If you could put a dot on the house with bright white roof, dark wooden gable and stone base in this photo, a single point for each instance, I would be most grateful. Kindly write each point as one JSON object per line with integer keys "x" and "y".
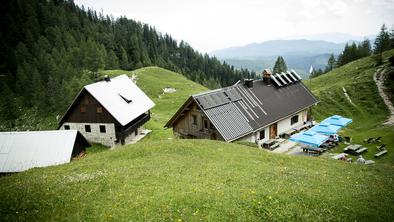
{"x": 109, "y": 112}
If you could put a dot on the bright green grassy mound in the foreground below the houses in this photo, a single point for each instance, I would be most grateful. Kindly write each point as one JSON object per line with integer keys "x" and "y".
{"x": 193, "y": 180}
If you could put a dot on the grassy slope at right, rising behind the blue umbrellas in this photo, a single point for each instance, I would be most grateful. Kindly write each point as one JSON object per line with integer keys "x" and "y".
{"x": 368, "y": 112}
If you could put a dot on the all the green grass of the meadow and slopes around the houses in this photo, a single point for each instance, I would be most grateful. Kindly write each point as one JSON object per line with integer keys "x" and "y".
{"x": 159, "y": 179}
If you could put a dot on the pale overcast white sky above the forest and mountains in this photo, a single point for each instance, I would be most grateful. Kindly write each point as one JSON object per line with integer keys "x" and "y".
{"x": 214, "y": 24}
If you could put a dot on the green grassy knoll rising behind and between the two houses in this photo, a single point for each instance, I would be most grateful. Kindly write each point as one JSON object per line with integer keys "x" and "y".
{"x": 152, "y": 80}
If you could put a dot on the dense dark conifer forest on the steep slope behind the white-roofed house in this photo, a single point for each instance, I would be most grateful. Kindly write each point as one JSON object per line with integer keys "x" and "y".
{"x": 51, "y": 48}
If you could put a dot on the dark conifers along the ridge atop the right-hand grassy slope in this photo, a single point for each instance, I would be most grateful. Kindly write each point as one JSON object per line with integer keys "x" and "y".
{"x": 352, "y": 51}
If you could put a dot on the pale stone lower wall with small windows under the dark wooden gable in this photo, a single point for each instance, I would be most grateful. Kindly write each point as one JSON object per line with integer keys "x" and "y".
{"x": 108, "y": 138}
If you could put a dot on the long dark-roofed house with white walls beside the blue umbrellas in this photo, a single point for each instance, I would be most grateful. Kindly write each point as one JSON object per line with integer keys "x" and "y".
{"x": 252, "y": 111}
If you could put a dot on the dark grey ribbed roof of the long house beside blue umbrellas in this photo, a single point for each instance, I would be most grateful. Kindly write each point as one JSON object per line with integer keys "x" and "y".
{"x": 237, "y": 110}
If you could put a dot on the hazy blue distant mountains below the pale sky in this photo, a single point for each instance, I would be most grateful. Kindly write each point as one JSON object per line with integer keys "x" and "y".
{"x": 300, "y": 52}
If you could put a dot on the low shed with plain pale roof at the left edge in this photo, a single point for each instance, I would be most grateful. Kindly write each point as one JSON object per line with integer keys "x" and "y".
{"x": 20, "y": 151}
